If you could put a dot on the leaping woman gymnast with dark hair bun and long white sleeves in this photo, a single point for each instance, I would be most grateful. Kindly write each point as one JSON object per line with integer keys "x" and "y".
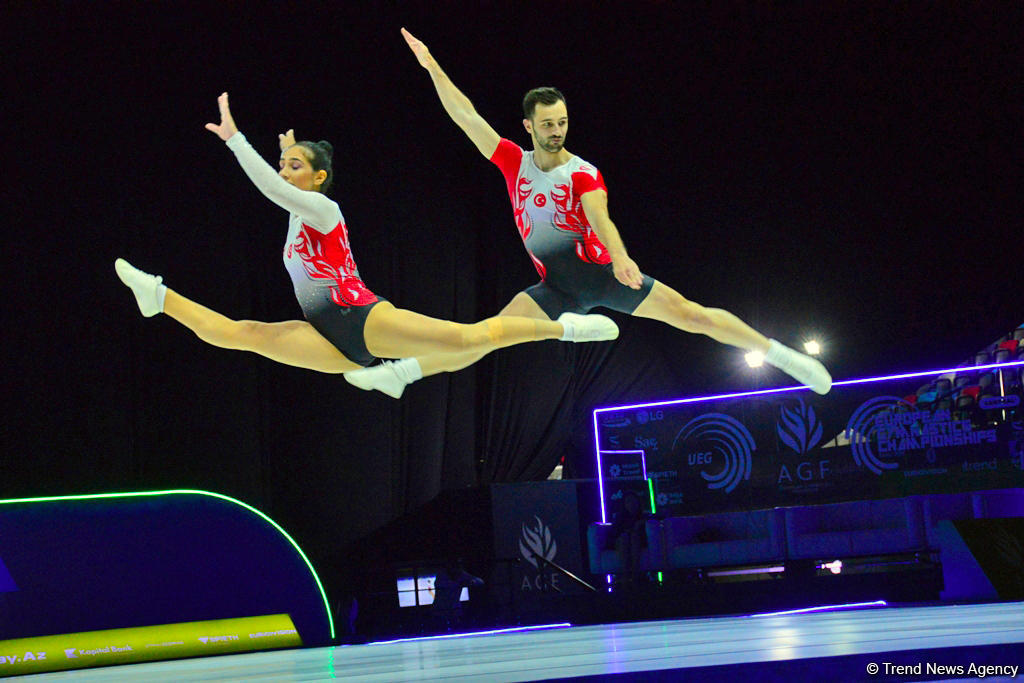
{"x": 348, "y": 327}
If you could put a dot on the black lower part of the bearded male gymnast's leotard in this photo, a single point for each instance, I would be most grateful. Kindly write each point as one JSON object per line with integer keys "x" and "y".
{"x": 586, "y": 287}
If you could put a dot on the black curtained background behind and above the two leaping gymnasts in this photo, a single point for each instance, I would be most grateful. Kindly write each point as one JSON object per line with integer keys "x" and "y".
{"x": 847, "y": 170}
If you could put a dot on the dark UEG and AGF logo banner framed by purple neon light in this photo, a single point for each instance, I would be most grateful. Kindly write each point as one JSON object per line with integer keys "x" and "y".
{"x": 873, "y": 440}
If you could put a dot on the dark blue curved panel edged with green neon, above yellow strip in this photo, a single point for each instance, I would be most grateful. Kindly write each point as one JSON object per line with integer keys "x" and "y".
{"x": 110, "y": 562}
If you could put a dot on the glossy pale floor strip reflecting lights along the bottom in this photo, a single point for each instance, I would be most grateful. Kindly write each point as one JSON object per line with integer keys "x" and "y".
{"x": 605, "y": 650}
